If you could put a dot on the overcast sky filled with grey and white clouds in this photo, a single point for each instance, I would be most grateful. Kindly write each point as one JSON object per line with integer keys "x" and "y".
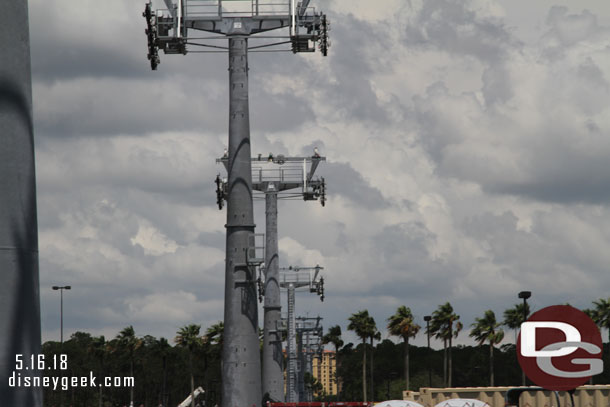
{"x": 468, "y": 158}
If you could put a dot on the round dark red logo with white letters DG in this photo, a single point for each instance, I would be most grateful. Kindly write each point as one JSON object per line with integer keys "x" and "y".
{"x": 560, "y": 348}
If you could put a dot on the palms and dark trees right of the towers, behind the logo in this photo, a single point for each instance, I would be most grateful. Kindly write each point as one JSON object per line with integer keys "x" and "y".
{"x": 436, "y": 368}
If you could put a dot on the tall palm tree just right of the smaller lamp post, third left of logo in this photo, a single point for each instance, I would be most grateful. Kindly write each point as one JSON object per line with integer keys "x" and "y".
{"x": 445, "y": 325}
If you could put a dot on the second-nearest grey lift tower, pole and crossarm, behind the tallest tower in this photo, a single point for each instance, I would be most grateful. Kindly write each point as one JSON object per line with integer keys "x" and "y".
{"x": 277, "y": 177}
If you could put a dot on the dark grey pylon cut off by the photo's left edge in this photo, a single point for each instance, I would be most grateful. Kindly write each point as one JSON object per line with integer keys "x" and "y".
{"x": 19, "y": 285}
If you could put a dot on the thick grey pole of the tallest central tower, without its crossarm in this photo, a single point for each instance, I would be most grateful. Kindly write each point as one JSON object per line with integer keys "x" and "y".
{"x": 241, "y": 368}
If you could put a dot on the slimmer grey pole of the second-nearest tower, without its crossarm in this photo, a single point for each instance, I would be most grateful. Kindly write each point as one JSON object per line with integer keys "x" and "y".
{"x": 273, "y": 372}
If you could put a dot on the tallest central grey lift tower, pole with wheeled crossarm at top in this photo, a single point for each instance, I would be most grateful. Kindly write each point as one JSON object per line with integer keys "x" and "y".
{"x": 239, "y": 20}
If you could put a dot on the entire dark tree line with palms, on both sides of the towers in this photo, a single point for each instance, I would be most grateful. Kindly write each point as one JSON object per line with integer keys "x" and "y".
{"x": 167, "y": 371}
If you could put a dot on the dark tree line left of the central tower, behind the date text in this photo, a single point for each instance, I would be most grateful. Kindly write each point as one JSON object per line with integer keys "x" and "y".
{"x": 163, "y": 374}
